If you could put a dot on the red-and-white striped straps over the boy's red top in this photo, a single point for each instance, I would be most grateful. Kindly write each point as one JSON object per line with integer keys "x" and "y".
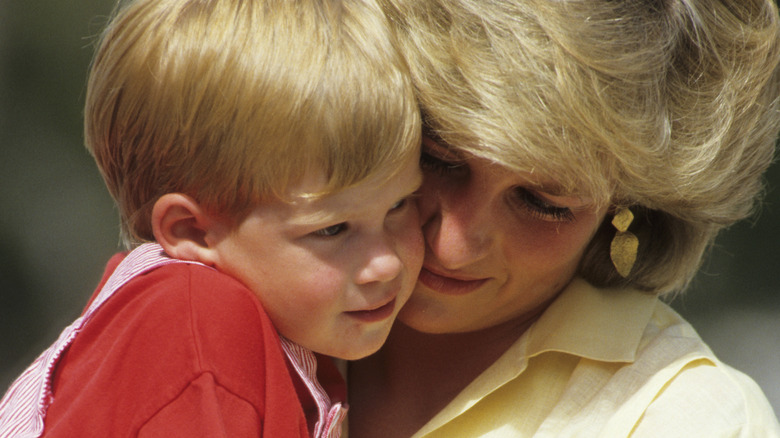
{"x": 23, "y": 408}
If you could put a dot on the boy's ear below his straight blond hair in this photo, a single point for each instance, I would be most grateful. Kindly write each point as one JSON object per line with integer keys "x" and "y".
{"x": 184, "y": 229}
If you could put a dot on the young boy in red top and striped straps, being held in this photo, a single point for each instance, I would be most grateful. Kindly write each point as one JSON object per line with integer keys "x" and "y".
{"x": 265, "y": 152}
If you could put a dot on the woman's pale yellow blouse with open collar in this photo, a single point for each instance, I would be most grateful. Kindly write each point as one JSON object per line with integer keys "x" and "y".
{"x": 607, "y": 363}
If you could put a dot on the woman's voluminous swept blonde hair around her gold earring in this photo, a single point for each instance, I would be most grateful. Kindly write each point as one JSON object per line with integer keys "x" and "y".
{"x": 669, "y": 106}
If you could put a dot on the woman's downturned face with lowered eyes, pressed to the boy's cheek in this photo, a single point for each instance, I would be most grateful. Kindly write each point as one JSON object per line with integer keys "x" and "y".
{"x": 500, "y": 245}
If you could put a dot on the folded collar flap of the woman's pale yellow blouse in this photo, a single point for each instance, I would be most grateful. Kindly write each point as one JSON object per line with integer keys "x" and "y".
{"x": 583, "y": 317}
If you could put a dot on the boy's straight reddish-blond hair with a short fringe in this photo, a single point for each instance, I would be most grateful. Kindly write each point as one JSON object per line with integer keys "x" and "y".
{"x": 231, "y": 101}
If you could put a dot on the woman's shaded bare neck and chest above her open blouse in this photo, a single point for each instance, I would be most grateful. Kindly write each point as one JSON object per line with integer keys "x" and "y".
{"x": 415, "y": 375}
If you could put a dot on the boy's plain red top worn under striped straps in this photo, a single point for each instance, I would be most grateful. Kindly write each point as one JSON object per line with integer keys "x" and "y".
{"x": 180, "y": 351}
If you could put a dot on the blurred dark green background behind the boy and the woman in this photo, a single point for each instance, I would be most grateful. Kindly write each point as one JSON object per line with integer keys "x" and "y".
{"x": 58, "y": 226}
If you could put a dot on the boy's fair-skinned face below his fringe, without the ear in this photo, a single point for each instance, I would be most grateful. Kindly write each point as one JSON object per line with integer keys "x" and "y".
{"x": 333, "y": 272}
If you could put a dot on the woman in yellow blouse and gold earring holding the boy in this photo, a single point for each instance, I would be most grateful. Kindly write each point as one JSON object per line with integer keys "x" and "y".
{"x": 580, "y": 158}
